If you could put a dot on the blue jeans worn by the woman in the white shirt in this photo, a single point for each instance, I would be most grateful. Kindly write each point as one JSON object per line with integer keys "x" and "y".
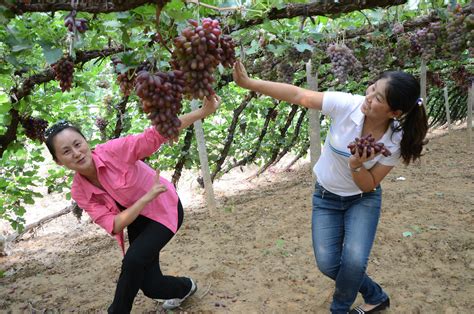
{"x": 343, "y": 233}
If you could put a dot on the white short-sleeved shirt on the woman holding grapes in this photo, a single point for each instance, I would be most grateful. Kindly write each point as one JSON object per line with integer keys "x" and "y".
{"x": 332, "y": 170}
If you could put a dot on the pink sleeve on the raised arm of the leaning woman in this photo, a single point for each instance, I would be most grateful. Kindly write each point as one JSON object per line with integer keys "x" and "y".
{"x": 135, "y": 147}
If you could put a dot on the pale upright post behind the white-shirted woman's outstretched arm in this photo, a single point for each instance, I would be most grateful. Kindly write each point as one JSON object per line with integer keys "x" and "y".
{"x": 314, "y": 117}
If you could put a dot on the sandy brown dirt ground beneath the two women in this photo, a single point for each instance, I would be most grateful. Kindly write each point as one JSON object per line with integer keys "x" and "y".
{"x": 254, "y": 254}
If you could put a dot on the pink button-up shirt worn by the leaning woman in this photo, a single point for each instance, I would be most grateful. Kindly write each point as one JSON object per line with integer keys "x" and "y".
{"x": 125, "y": 179}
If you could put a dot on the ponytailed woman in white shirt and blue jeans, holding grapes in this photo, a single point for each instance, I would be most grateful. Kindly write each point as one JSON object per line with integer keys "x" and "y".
{"x": 347, "y": 198}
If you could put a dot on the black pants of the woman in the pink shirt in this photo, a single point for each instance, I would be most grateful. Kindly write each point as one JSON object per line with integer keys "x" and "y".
{"x": 141, "y": 265}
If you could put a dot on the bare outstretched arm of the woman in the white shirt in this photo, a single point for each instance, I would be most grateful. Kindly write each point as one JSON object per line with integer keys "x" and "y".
{"x": 281, "y": 91}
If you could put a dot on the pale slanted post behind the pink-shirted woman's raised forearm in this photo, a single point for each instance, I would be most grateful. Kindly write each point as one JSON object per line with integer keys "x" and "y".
{"x": 206, "y": 173}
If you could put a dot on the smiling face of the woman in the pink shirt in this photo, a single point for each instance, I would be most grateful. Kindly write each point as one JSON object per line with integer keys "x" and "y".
{"x": 72, "y": 151}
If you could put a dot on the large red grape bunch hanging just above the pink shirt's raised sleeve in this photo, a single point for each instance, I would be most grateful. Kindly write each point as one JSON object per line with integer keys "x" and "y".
{"x": 161, "y": 95}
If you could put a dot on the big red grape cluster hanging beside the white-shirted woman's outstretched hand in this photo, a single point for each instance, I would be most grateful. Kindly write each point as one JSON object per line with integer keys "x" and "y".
{"x": 198, "y": 51}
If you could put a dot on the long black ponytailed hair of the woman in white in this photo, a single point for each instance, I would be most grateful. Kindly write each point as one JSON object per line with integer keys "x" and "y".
{"x": 402, "y": 93}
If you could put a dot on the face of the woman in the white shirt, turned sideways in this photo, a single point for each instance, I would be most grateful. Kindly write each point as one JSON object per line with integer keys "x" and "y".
{"x": 375, "y": 104}
